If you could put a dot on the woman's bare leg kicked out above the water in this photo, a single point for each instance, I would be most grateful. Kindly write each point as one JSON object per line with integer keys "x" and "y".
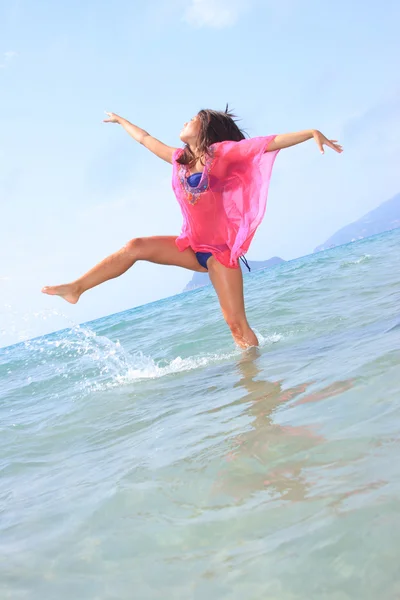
{"x": 159, "y": 249}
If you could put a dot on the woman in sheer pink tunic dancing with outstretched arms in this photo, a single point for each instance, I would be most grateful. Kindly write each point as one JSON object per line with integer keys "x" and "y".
{"x": 221, "y": 180}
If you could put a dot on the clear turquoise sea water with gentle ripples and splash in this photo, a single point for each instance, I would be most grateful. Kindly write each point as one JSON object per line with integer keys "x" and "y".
{"x": 143, "y": 456}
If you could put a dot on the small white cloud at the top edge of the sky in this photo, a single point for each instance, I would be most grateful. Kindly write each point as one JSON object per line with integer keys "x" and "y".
{"x": 215, "y": 13}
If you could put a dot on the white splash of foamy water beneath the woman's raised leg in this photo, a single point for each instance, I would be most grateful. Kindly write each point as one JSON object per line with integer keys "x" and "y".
{"x": 86, "y": 361}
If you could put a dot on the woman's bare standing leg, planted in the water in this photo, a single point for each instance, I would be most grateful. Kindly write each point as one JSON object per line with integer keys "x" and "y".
{"x": 228, "y": 283}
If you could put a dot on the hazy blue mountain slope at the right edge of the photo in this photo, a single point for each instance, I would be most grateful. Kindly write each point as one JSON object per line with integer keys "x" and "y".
{"x": 383, "y": 218}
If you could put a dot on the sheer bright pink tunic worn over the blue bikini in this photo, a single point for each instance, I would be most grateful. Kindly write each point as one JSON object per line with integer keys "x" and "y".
{"x": 222, "y": 213}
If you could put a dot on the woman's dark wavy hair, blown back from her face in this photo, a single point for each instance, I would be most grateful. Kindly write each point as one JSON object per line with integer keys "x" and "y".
{"x": 215, "y": 126}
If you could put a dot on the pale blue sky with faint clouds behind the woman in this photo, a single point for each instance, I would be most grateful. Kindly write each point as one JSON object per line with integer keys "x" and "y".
{"x": 73, "y": 190}
